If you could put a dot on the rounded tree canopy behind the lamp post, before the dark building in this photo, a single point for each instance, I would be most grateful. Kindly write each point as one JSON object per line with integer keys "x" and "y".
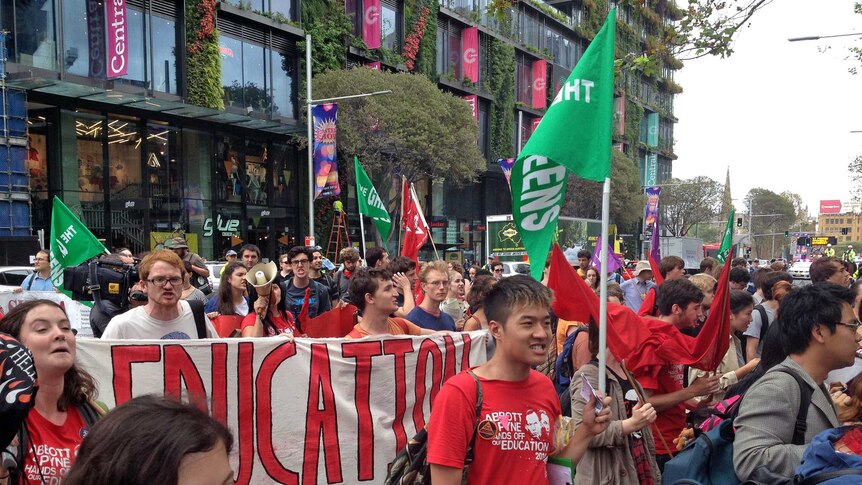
{"x": 417, "y": 131}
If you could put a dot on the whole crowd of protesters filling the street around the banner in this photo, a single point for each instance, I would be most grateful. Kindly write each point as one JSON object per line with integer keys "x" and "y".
{"x": 793, "y": 356}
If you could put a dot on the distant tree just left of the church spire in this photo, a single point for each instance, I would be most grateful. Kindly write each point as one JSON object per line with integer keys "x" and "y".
{"x": 687, "y": 203}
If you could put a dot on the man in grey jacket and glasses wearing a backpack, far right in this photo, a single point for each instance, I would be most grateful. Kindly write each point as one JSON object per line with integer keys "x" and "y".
{"x": 817, "y": 331}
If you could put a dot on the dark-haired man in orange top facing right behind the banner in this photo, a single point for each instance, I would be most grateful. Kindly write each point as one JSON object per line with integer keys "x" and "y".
{"x": 374, "y": 294}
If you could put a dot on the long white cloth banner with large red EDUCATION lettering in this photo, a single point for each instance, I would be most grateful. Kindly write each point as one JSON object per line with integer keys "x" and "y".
{"x": 304, "y": 411}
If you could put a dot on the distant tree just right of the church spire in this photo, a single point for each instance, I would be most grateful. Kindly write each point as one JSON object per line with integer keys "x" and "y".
{"x": 771, "y": 214}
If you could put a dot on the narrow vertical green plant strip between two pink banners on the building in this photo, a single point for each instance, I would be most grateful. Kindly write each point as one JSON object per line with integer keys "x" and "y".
{"x": 502, "y": 86}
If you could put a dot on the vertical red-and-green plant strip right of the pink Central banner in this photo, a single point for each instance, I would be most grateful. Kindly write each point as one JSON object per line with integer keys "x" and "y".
{"x": 203, "y": 78}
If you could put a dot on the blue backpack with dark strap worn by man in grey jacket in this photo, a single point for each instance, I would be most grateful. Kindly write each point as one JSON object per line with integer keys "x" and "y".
{"x": 708, "y": 460}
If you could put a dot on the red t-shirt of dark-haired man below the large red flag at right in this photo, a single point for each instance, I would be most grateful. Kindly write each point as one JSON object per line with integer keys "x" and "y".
{"x": 664, "y": 380}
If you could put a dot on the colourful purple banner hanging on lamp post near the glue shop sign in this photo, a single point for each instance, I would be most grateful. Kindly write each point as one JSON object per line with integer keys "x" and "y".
{"x": 325, "y": 117}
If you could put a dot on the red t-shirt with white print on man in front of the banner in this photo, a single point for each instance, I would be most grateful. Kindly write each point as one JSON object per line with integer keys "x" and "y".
{"x": 516, "y": 428}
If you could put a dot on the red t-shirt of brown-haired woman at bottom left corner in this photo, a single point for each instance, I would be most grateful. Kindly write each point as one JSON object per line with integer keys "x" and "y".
{"x": 55, "y": 446}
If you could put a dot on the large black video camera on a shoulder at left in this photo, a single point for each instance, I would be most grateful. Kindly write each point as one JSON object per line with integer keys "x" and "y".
{"x": 101, "y": 280}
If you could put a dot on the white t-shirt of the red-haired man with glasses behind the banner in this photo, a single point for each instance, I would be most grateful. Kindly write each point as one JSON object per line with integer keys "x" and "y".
{"x": 137, "y": 324}
